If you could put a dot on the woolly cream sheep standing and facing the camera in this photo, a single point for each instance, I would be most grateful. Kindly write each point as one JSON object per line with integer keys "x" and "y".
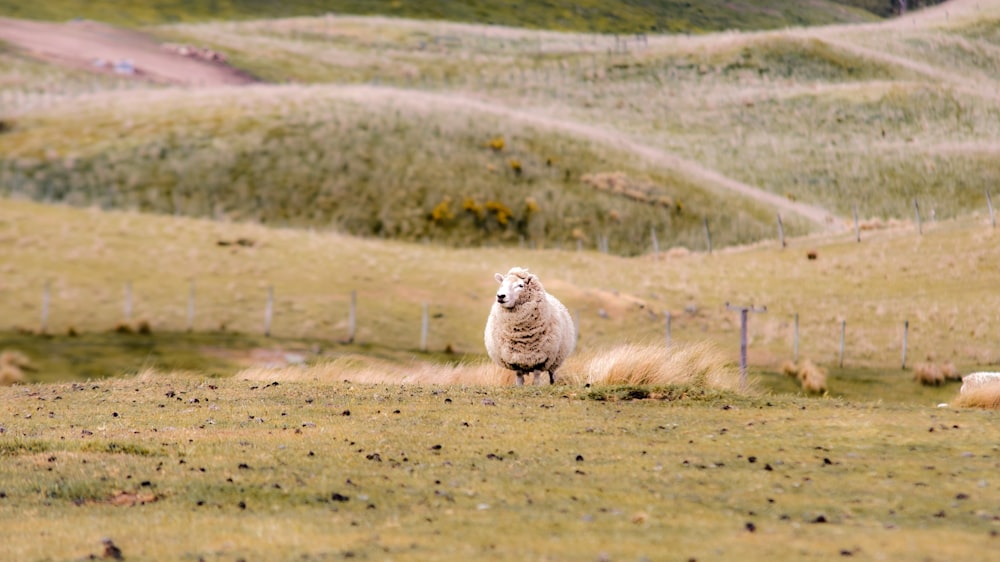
{"x": 528, "y": 330}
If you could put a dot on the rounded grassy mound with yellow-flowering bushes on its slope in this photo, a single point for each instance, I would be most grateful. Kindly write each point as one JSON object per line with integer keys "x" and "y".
{"x": 378, "y": 163}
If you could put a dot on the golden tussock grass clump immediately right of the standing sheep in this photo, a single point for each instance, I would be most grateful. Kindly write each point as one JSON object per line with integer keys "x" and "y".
{"x": 700, "y": 365}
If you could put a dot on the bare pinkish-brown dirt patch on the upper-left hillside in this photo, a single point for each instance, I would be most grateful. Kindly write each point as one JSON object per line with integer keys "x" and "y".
{"x": 101, "y": 48}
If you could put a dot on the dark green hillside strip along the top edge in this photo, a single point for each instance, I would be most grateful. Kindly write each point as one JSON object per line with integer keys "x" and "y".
{"x": 603, "y": 17}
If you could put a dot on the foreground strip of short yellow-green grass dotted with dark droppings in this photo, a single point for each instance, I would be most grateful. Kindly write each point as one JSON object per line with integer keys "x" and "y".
{"x": 227, "y": 469}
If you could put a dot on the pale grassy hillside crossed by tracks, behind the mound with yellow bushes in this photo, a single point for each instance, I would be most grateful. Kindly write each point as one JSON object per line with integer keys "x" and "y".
{"x": 817, "y": 115}
